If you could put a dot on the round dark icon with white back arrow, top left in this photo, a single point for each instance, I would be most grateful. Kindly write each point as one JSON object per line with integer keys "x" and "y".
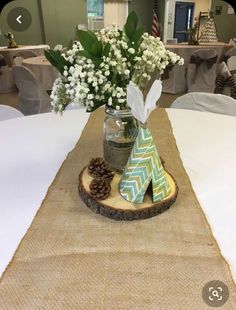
{"x": 19, "y": 19}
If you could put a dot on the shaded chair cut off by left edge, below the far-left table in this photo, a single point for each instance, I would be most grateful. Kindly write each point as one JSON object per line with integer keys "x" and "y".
{"x": 6, "y": 80}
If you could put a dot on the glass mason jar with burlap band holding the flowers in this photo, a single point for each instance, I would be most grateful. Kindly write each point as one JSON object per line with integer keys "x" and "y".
{"x": 120, "y": 132}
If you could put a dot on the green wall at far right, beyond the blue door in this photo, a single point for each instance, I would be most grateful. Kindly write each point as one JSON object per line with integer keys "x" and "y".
{"x": 225, "y": 23}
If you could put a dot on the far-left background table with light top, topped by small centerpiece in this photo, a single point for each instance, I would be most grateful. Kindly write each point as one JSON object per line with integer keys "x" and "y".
{"x": 10, "y": 53}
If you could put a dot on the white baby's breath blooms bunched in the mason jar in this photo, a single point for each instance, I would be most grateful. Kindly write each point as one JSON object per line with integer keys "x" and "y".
{"x": 83, "y": 80}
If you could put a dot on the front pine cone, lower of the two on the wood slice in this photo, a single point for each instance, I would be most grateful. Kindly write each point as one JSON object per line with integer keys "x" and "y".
{"x": 100, "y": 188}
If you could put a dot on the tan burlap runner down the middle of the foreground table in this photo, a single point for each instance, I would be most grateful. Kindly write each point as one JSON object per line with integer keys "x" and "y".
{"x": 72, "y": 258}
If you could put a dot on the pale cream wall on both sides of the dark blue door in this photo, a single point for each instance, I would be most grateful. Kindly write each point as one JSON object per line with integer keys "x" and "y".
{"x": 200, "y": 6}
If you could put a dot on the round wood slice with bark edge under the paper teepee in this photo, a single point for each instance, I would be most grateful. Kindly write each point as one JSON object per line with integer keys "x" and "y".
{"x": 116, "y": 207}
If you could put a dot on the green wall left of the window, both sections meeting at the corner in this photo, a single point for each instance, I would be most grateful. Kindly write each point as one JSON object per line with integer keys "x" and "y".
{"x": 53, "y": 21}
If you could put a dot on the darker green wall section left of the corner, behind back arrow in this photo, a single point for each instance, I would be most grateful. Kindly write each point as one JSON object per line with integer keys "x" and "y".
{"x": 33, "y": 35}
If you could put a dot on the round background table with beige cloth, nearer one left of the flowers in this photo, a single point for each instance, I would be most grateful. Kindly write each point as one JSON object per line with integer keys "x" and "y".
{"x": 43, "y": 70}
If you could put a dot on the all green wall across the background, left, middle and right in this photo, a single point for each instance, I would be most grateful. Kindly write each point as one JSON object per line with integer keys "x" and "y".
{"x": 54, "y": 21}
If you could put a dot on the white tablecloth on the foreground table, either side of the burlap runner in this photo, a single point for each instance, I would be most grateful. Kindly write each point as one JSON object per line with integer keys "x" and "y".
{"x": 34, "y": 147}
